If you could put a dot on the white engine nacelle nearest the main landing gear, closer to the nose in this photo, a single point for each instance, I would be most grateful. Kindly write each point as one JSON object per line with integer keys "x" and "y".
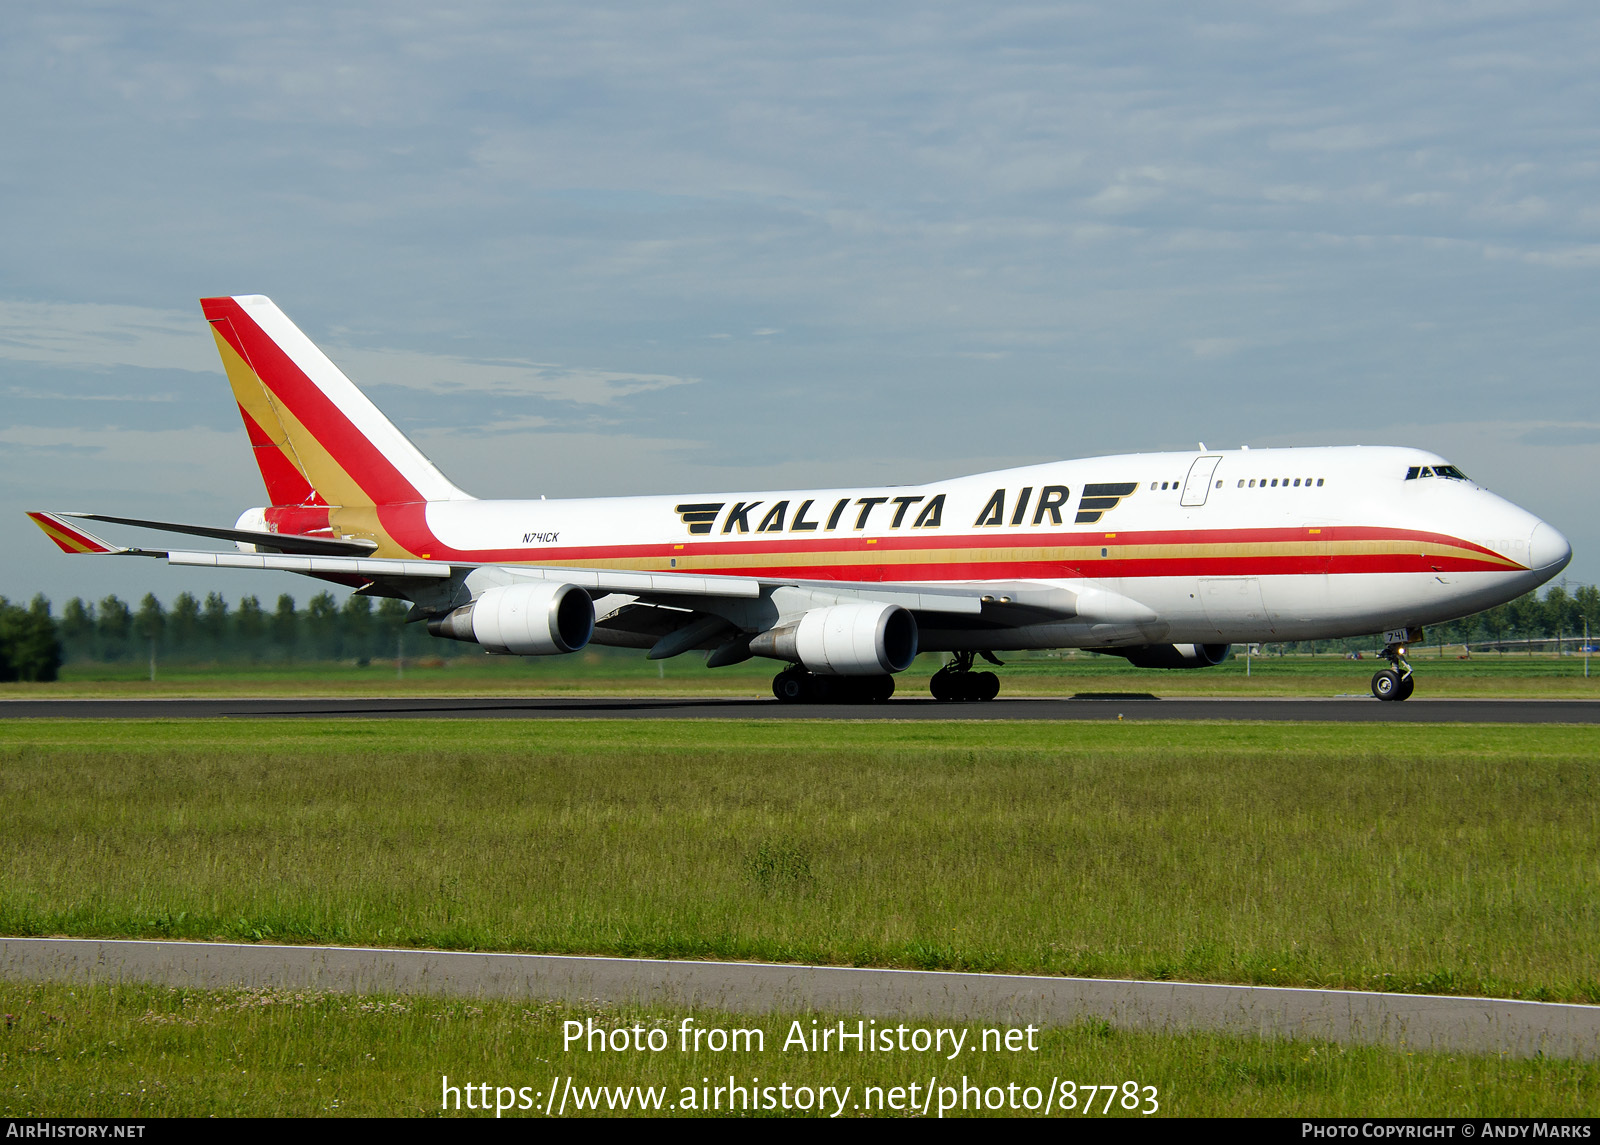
{"x": 846, "y": 640}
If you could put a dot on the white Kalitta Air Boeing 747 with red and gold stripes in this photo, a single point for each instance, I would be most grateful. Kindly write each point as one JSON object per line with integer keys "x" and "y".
{"x": 1166, "y": 559}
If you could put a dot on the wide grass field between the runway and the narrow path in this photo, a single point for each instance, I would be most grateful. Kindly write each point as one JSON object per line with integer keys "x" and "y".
{"x": 1452, "y": 860}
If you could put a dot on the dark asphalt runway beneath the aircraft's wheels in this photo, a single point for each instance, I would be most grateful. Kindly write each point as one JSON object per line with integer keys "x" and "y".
{"x": 1097, "y": 708}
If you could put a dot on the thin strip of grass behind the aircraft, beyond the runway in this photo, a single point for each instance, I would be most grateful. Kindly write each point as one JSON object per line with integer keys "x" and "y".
{"x": 617, "y": 672}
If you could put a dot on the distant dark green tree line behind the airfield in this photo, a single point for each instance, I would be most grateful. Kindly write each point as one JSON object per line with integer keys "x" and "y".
{"x": 34, "y": 644}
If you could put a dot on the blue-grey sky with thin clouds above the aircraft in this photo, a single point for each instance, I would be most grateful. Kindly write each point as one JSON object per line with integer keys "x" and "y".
{"x": 591, "y": 249}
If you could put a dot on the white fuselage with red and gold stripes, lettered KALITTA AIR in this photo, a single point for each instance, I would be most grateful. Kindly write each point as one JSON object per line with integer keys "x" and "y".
{"x": 1174, "y": 548}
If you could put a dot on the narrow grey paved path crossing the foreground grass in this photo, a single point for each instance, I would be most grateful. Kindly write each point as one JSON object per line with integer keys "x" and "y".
{"x": 1481, "y": 1026}
